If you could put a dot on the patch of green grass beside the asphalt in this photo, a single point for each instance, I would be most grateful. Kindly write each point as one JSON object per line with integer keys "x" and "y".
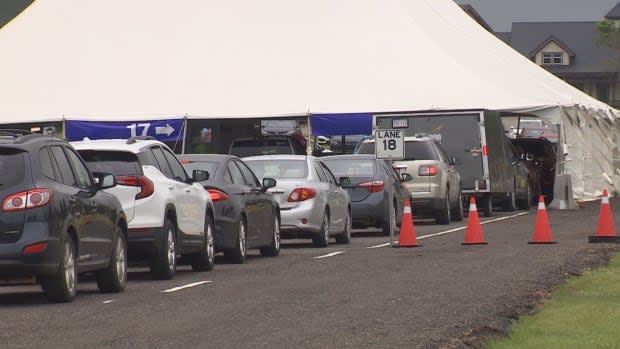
{"x": 584, "y": 313}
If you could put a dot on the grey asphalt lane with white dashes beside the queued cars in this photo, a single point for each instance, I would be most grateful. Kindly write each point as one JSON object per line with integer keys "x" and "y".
{"x": 440, "y": 295}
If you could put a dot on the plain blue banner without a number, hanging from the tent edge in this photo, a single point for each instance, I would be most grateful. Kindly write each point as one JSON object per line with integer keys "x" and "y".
{"x": 341, "y": 124}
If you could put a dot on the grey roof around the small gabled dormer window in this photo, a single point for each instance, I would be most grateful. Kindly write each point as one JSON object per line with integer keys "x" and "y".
{"x": 578, "y": 37}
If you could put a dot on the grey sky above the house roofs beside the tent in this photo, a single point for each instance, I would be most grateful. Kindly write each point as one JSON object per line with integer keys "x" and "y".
{"x": 500, "y": 14}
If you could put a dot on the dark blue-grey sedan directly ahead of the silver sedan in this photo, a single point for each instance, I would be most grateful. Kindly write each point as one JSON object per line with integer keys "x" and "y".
{"x": 374, "y": 184}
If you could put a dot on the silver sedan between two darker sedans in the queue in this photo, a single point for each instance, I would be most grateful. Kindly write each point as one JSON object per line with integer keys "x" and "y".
{"x": 313, "y": 203}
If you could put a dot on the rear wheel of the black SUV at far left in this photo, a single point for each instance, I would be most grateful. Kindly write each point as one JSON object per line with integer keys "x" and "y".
{"x": 62, "y": 286}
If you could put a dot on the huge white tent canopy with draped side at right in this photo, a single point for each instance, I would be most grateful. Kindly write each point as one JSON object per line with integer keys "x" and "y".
{"x": 144, "y": 59}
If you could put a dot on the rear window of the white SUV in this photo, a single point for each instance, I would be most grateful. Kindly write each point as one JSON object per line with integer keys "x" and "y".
{"x": 118, "y": 163}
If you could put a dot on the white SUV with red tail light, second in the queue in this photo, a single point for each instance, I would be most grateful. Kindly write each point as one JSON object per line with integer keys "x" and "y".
{"x": 169, "y": 214}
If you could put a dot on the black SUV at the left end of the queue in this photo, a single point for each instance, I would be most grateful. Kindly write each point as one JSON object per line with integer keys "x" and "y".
{"x": 56, "y": 221}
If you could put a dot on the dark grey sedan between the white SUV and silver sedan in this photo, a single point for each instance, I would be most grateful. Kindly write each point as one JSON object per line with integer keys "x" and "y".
{"x": 246, "y": 215}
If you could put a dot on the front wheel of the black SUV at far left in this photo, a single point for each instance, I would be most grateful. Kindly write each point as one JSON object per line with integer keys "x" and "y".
{"x": 114, "y": 277}
